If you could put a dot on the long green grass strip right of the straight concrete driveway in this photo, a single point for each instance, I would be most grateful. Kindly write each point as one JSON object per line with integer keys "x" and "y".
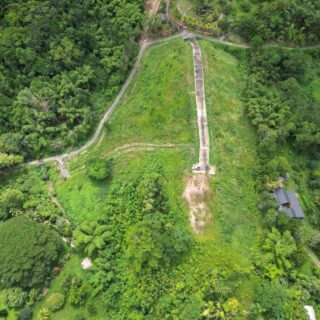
{"x": 236, "y": 219}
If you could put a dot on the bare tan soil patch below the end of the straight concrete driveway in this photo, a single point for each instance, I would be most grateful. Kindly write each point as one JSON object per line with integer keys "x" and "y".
{"x": 195, "y": 193}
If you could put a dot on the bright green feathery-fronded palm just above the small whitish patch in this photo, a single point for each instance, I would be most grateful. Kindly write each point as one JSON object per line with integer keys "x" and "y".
{"x": 91, "y": 236}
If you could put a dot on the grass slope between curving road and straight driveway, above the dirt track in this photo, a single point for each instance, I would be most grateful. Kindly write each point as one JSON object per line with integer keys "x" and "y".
{"x": 159, "y": 105}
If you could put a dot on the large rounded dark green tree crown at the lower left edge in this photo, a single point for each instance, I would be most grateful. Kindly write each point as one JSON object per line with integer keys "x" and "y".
{"x": 28, "y": 252}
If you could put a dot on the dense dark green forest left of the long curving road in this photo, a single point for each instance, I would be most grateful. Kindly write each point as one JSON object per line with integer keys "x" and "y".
{"x": 57, "y": 57}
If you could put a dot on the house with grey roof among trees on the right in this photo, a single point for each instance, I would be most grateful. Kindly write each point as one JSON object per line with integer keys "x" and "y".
{"x": 288, "y": 203}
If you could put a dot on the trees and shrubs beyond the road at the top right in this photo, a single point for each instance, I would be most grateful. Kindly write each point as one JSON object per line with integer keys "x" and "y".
{"x": 289, "y": 21}
